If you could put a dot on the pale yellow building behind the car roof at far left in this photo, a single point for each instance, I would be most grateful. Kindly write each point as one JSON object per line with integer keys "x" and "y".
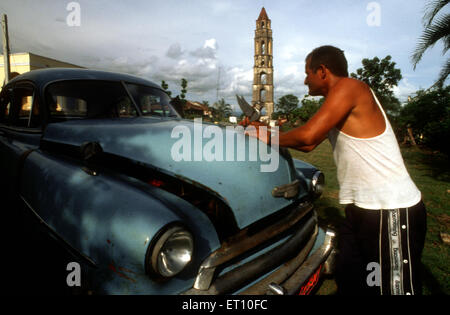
{"x": 24, "y": 62}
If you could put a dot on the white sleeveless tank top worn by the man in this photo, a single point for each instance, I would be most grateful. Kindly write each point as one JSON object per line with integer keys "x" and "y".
{"x": 371, "y": 172}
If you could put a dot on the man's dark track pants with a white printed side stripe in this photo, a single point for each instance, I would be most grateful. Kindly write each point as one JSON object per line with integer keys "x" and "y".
{"x": 380, "y": 251}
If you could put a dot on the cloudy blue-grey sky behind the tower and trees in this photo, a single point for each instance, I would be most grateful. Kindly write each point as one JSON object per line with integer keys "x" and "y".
{"x": 210, "y": 43}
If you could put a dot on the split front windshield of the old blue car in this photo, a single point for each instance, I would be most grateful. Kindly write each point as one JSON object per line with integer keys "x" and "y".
{"x": 79, "y": 99}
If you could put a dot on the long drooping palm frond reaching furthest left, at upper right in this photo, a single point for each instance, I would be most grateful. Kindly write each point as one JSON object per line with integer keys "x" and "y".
{"x": 439, "y": 29}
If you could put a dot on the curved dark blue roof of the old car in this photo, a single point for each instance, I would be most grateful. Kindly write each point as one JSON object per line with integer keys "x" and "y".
{"x": 43, "y": 76}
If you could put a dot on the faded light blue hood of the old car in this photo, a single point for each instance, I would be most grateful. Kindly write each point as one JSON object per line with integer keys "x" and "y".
{"x": 242, "y": 181}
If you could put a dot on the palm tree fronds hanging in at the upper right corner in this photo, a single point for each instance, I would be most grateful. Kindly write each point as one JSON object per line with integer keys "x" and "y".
{"x": 436, "y": 28}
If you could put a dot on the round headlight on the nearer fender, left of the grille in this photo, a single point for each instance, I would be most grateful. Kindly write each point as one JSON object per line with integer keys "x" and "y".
{"x": 172, "y": 252}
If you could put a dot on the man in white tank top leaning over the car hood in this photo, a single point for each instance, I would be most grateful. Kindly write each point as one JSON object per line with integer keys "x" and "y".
{"x": 385, "y": 224}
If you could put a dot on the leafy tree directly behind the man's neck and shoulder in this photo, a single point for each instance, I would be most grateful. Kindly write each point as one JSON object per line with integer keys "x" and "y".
{"x": 381, "y": 76}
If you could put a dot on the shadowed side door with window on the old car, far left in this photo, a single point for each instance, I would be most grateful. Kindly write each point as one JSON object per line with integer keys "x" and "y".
{"x": 20, "y": 133}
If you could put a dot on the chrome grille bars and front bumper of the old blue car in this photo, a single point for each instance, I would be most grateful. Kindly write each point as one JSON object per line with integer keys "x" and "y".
{"x": 287, "y": 279}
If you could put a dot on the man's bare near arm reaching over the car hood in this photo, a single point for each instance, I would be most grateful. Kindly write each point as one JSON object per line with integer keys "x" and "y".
{"x": 337, "y": 106}
